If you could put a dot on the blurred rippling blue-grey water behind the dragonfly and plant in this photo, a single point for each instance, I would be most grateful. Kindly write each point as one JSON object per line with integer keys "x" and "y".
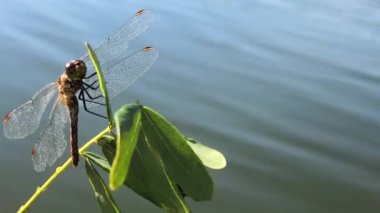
{"x": 287, "y": 90}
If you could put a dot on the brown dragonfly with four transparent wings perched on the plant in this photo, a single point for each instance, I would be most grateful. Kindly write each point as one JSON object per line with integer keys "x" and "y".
{"x": 75, "y": 88}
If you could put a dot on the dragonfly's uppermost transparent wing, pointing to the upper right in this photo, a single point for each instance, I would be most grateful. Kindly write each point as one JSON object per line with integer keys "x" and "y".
{"x": 117, "y": 43}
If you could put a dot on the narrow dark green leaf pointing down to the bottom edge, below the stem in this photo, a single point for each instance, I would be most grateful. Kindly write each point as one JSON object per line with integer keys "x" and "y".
{"x": 102, "y": 194}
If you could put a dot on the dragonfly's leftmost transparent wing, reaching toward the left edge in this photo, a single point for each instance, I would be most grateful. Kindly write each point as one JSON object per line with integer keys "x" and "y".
{"x": 25, "y": 119}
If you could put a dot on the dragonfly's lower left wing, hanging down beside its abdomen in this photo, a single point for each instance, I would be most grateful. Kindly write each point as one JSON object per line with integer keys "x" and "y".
{"x": 51, "y": 143}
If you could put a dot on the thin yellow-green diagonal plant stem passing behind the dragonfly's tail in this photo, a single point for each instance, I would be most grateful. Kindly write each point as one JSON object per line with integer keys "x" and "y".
{"x": 59, "y": 171}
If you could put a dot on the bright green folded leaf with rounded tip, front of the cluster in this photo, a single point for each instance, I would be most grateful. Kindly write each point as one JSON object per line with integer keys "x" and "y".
{"x": 127, "y": 121}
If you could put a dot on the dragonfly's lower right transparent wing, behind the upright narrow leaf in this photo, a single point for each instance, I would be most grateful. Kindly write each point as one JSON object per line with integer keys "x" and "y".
{"x": 122, "y": 74}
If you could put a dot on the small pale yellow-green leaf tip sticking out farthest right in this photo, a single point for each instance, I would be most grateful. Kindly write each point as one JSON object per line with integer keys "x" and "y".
{"x": 210, "y": 157}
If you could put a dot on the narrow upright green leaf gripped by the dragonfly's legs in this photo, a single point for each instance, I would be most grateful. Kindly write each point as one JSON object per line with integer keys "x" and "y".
{"x": 102, "y": 82}
